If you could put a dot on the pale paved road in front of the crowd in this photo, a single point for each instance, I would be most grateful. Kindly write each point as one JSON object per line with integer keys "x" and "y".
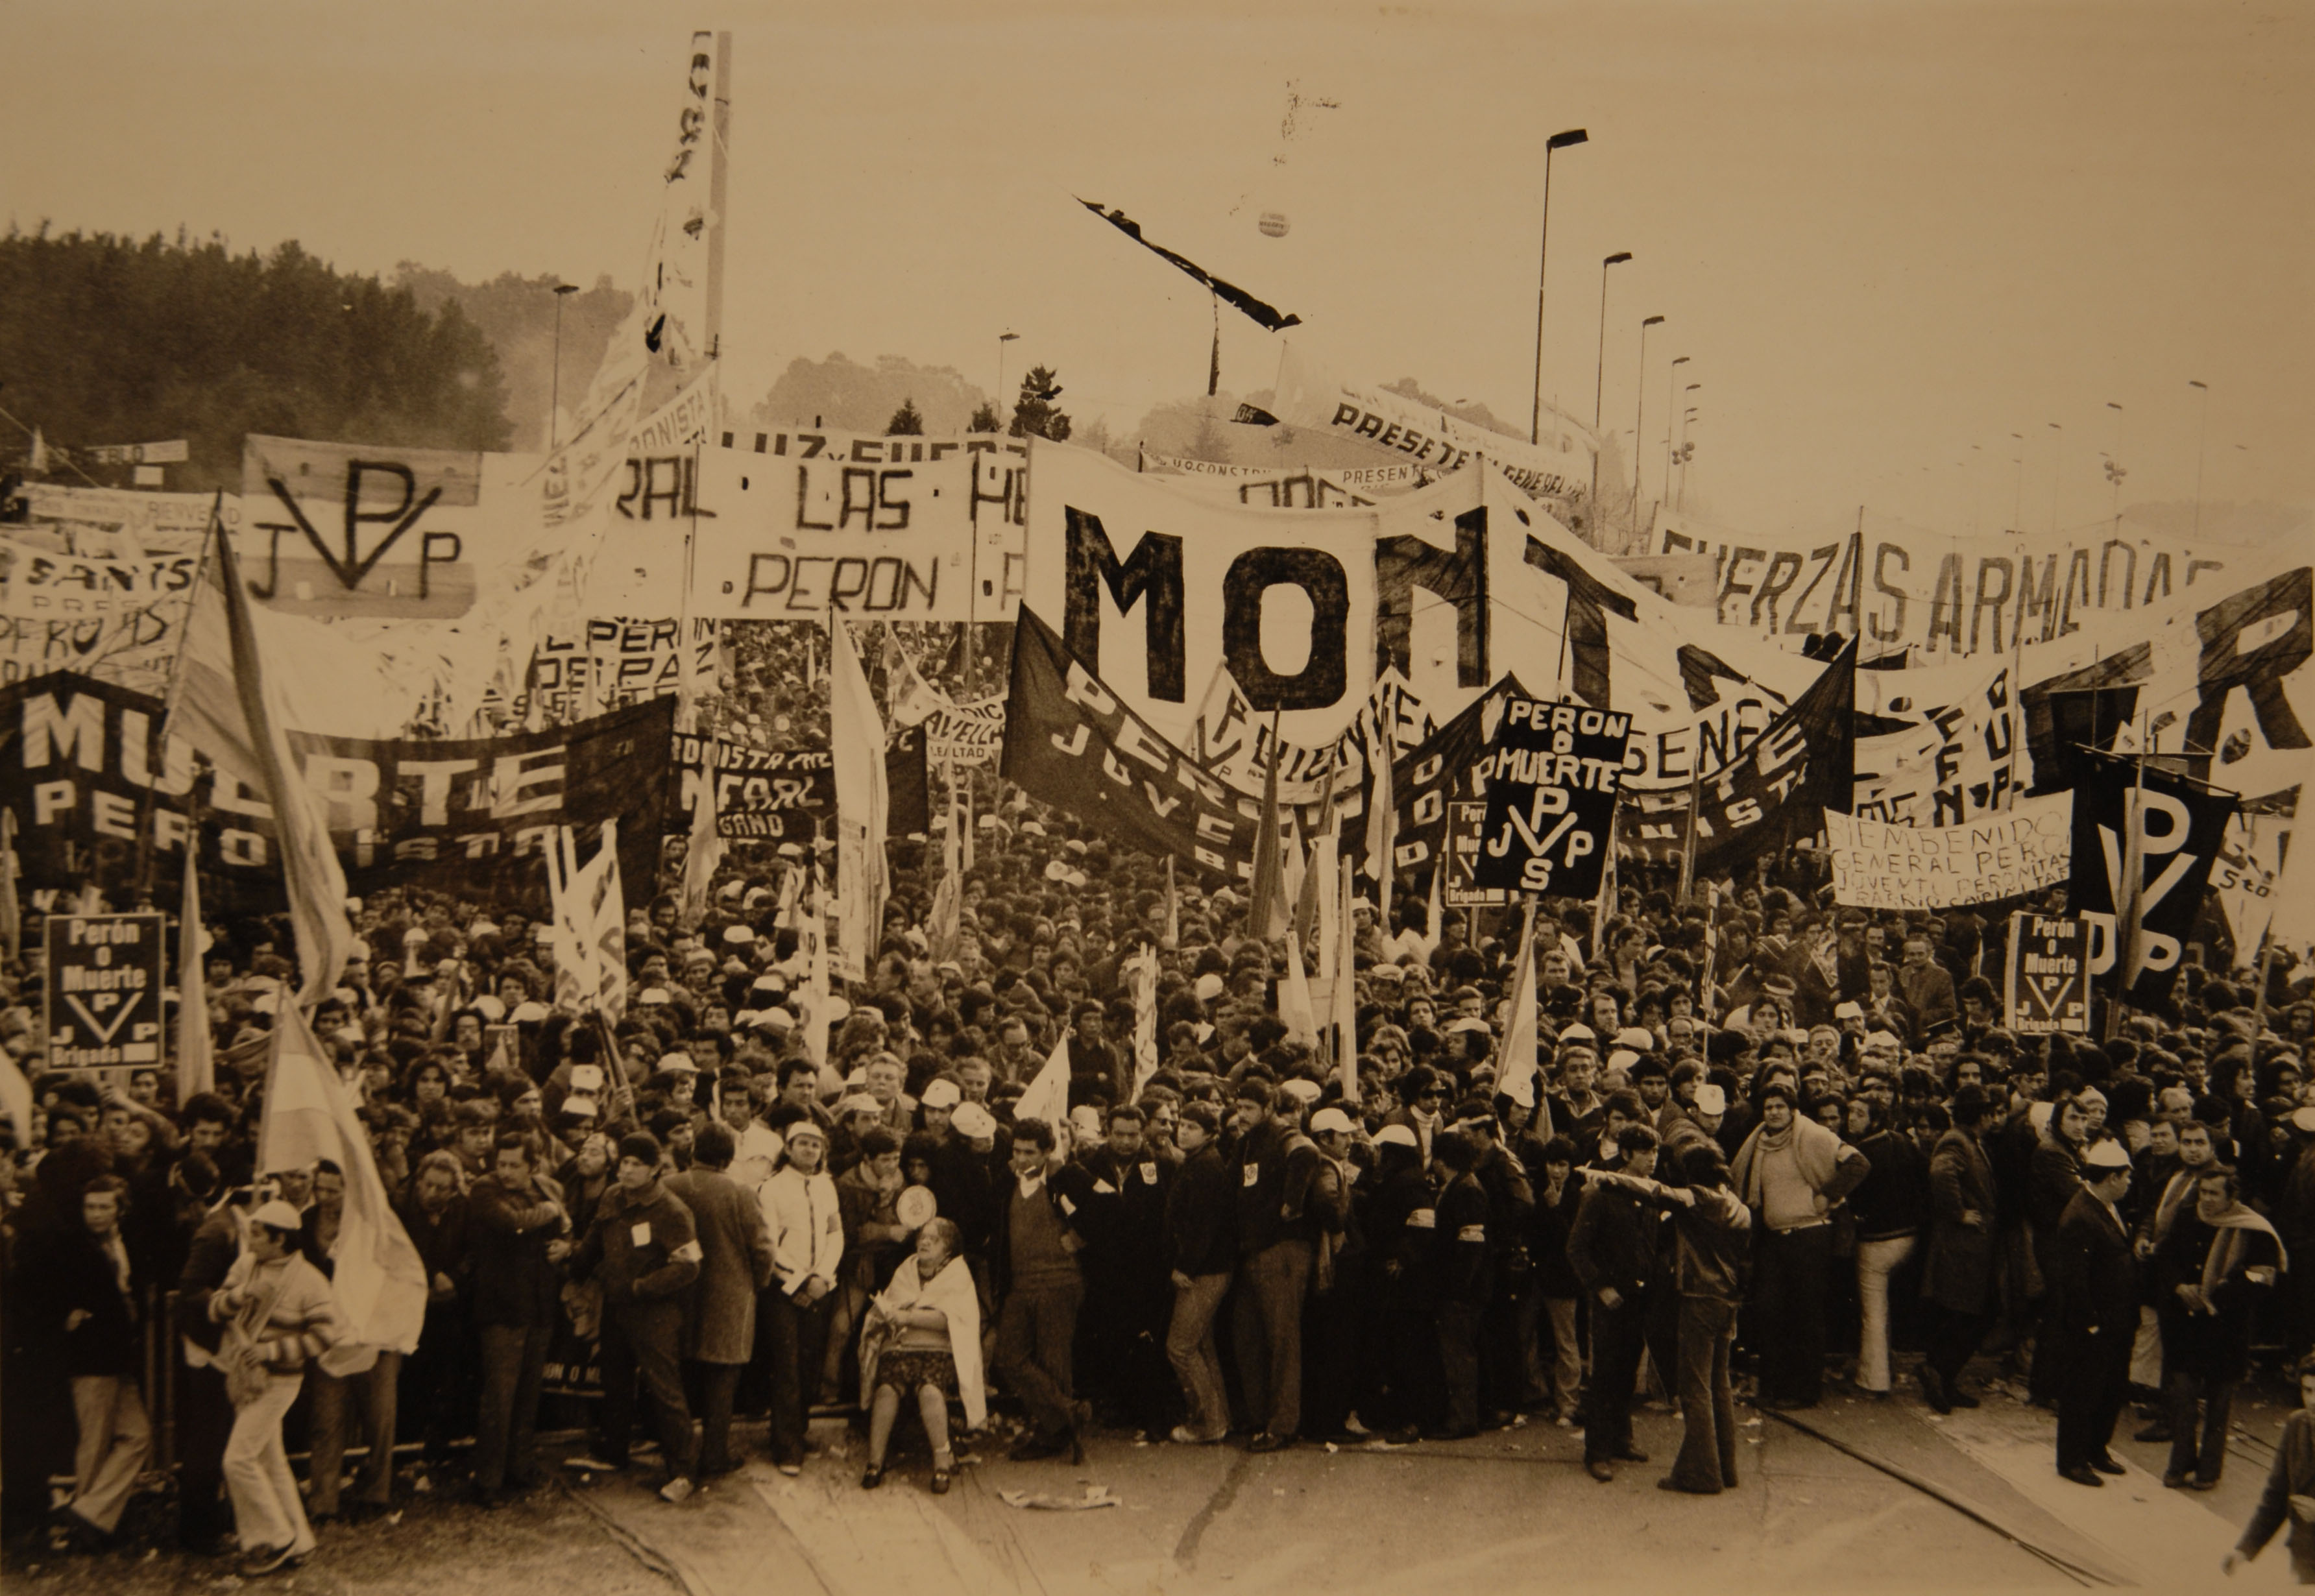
{"x": 1872, "y": 1498}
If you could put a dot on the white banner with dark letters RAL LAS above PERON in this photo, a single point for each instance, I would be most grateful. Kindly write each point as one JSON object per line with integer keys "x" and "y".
{"x": 798, "y": 525}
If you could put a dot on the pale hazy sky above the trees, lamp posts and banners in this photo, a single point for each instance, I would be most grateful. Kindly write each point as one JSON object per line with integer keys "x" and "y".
{"x": 1881, "y": 233}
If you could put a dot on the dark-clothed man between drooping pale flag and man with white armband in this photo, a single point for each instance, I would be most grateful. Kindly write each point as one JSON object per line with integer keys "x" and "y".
{"x": 515, "y": 1238}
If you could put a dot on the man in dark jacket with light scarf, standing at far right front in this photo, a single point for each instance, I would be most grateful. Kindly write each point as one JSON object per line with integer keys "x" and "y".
{"x": 2212, "y": 1268}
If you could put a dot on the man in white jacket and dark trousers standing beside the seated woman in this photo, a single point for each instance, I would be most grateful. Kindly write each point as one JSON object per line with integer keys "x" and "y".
{"x": 807, "y": 1247}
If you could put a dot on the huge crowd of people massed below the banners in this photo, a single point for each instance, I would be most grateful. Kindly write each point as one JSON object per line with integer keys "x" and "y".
{"x": 1770, "y": 1145}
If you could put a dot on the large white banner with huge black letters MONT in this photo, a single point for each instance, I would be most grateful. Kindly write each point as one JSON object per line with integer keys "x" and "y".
{"x": 1156, "y": 587}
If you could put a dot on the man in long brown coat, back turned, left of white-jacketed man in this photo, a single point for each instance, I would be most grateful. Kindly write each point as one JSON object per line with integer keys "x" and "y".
{"x": 719, "y": 1308}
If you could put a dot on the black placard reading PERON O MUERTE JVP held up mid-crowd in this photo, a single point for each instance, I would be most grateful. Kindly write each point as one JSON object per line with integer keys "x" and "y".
{"x": 1552, "y": 798}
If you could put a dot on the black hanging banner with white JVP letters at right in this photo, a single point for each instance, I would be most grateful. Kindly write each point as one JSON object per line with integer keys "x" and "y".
{"x": 2182, "y": 828}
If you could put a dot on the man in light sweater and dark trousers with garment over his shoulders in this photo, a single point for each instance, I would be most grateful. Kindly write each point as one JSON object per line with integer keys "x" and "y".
{"x": 1791, "y": 1173}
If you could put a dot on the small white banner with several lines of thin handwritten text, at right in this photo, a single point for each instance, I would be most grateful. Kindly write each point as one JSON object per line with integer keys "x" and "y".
{"x": 1943, "y": 865}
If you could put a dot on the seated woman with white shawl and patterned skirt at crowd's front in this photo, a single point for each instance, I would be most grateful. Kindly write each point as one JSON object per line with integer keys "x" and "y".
{"x": 925, "y": 1338}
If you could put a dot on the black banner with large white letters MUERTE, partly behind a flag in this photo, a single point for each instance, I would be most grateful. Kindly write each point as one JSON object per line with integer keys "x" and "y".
{"x": 94, "y": 784}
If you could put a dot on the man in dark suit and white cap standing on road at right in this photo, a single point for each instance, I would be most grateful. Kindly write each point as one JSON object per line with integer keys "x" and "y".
{"x": 2099, "y": 1275}
